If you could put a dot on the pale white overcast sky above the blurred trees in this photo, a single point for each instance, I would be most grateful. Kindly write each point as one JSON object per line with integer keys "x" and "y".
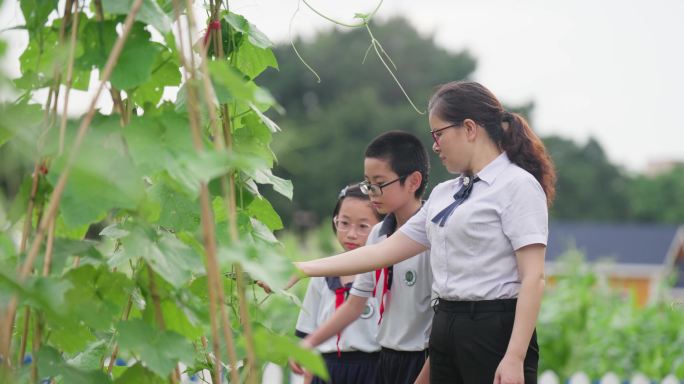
{"x": 611, "y": 69}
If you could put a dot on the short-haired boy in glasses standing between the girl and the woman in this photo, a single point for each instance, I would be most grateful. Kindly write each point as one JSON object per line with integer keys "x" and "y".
{"x": 396, "y": 173}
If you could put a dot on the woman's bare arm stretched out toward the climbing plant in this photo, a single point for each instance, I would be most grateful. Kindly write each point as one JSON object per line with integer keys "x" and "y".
{"x": 390, "y": 251}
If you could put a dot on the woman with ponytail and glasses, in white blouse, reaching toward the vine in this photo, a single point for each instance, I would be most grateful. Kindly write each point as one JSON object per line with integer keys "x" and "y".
{"x": 486, "y": 230}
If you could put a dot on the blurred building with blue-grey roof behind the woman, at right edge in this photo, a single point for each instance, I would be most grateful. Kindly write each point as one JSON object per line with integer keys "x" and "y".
{"x": 635, "y": 257}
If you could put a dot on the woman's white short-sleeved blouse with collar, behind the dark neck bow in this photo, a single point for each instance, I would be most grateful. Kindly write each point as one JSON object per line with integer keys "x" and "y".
{"x": 473, "y": 255}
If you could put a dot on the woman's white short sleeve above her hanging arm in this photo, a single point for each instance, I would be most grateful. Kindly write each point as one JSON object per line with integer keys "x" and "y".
{"x": 525, "y": 220}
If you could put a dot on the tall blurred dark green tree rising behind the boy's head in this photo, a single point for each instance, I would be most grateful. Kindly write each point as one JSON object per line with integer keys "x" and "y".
{"x": 328, "y": 125}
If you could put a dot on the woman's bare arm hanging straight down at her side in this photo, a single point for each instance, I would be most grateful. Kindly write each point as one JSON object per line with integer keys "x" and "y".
{"x": 531, "y": 271}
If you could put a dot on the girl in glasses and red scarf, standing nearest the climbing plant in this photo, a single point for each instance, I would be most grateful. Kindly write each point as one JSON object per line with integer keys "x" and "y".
{"x": 352, "y": 355}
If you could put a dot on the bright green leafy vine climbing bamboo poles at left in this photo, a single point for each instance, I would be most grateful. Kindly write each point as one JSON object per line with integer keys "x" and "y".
{"x": 123, "y": 275}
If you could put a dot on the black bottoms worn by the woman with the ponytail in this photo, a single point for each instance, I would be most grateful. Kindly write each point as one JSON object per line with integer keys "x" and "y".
{"x": 469, "y": 339}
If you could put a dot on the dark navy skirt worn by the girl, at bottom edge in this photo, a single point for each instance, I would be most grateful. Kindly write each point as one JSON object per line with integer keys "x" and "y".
{"x": 350, "y": 368}
